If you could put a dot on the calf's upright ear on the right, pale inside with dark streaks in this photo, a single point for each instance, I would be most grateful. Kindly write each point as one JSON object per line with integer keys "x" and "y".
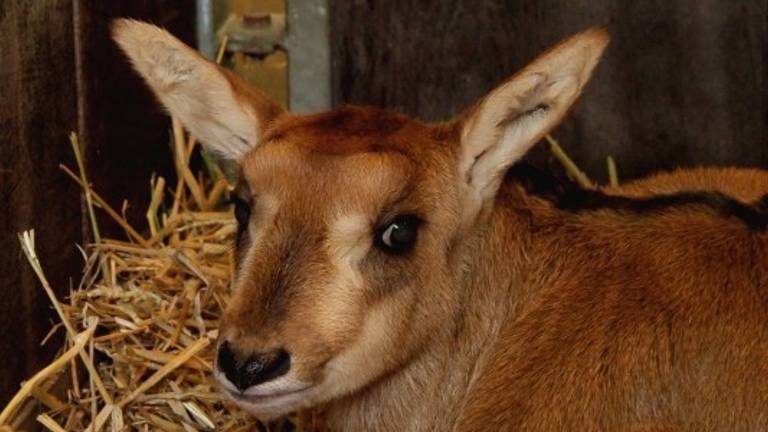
{"x": 501, "y": 128}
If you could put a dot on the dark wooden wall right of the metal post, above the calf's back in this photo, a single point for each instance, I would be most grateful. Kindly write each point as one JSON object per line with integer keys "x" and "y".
{"x": 682, "y": 84}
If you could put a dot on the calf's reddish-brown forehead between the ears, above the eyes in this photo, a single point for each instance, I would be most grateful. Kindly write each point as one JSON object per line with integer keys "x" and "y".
{"x": 351, "y": 158}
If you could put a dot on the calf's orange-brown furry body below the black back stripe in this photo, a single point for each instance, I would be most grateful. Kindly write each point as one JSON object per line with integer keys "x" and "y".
{"x": 622, "y": 320}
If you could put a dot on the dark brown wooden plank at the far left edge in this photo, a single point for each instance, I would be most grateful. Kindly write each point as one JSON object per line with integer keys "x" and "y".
{"x": 37, "y": 112}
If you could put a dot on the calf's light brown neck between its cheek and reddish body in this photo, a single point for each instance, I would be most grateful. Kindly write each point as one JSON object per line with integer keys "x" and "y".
{"x": 428, "y": 393}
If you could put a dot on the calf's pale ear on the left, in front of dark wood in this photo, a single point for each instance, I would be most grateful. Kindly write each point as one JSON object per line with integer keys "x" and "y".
{"x": 225, "y": 113}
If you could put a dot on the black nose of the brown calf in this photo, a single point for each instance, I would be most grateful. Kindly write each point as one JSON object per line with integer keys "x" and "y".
{"x": 249, "y": 369}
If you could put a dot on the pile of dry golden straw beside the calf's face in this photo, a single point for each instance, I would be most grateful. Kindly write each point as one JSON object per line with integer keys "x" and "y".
{"x": 142, "y": 323}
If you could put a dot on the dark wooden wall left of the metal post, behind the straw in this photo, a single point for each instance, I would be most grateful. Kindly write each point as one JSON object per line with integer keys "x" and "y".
{"x": 60, "y": 73}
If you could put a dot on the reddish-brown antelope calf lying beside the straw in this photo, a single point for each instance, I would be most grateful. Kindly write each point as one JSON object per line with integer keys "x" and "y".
{"x": 398, "y": 275}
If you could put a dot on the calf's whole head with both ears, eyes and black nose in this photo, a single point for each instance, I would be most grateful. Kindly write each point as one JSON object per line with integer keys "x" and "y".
{"x": 354, "y": 223}
